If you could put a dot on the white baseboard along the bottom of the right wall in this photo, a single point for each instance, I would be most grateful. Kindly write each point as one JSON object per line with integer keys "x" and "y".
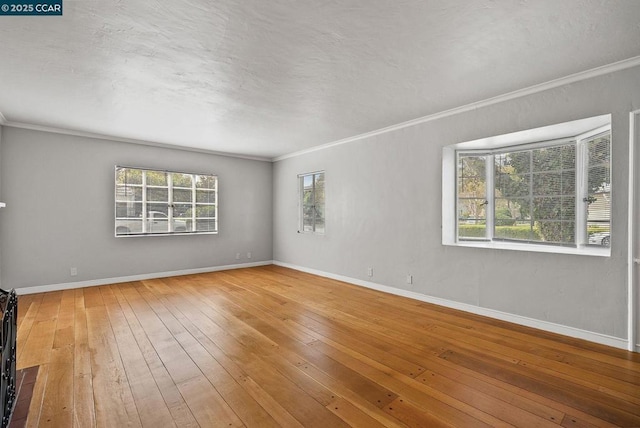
{"x": 602, "y": 339}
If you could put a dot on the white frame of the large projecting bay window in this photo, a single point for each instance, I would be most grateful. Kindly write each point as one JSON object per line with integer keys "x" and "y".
{"x": 450, "y": 223}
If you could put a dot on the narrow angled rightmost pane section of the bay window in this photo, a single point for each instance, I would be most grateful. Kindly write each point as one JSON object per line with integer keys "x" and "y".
{"x": 599, "y": 190}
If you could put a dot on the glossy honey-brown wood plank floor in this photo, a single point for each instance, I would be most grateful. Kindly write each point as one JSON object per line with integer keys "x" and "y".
{"x": 269, "y": 347}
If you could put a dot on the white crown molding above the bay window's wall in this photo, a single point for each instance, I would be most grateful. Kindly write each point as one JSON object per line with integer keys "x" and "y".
{"x": 573, "y": 78}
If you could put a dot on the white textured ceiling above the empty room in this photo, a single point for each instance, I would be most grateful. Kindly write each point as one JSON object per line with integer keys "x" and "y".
{"x": 267, "y": 78}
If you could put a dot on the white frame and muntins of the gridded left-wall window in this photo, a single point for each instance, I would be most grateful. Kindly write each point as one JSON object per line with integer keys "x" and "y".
{"x": 171, "y": 203}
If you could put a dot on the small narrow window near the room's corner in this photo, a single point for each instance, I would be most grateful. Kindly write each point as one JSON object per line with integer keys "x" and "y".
{"x": 312, "y": 202}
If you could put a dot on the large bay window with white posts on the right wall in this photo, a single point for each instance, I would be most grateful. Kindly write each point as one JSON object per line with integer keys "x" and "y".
{"x": 555, "y": 192}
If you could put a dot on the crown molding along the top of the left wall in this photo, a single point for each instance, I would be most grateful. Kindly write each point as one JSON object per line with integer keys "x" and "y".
{"x": 97, "y": 136}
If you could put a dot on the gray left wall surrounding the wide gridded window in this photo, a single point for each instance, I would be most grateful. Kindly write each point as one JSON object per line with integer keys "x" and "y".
{"x": 59, "y": 192}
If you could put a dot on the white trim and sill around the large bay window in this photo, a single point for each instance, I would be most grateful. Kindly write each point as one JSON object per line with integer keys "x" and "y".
{"x": 495, "y": 145}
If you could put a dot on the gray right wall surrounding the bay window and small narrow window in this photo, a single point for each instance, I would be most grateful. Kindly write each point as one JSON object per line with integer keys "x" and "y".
{"x": 384, "y": 210}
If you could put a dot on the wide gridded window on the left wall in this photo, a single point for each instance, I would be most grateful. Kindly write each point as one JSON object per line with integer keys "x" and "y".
{"x": 150, "y": 202}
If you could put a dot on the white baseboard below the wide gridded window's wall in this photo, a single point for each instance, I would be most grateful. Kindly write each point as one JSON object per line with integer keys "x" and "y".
{"x": 141, "y": 277}
